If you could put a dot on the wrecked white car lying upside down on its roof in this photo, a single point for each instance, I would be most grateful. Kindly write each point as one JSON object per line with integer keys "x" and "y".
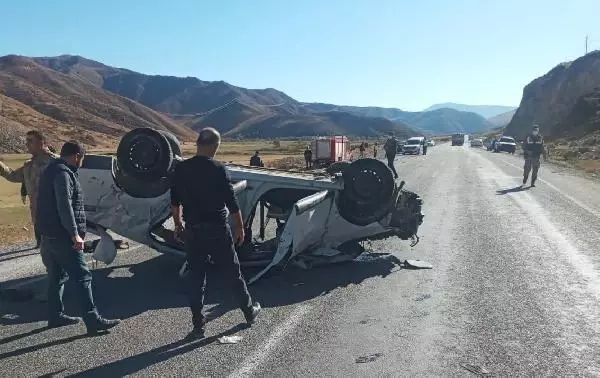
{"x": 317, "y": 216}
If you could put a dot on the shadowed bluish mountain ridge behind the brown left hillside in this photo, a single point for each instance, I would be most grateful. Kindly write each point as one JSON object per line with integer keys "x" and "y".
{"x": 241, "y": 112}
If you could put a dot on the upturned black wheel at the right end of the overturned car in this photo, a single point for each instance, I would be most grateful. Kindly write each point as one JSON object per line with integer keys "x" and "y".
{"x": 368, "y": 192}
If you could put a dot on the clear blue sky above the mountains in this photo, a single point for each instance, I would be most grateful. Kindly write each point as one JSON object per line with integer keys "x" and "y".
{"x": 394, "y": 53}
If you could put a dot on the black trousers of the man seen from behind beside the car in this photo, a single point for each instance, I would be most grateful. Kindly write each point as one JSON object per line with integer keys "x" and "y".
{"x": 214, "y": 240}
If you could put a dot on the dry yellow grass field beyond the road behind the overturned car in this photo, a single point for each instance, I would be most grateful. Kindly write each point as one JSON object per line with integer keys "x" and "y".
{"x": 15, "y": 222}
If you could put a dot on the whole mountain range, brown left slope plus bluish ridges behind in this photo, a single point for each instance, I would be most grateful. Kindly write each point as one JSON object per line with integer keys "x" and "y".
{"x": 71, "y": 96}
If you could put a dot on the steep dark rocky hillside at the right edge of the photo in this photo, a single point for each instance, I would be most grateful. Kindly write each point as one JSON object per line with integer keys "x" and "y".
{"x": 562, "y": 101}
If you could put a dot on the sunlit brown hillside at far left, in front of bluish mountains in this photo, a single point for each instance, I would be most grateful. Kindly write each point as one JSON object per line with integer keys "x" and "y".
{"x": 64, "y": 106}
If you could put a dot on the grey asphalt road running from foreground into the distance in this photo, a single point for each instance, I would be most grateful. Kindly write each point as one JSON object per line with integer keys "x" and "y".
{"x": 515, "y": 290}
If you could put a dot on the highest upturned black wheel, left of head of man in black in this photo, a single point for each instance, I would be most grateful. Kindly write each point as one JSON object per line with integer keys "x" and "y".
{"x": 145, "y": 154}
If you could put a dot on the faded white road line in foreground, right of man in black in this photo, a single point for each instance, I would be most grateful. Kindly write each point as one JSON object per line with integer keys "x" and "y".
{"x": 254, "y": 361}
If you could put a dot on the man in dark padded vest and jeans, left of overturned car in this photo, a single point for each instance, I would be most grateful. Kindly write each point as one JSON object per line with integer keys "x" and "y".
{"x": 61, "y": 223}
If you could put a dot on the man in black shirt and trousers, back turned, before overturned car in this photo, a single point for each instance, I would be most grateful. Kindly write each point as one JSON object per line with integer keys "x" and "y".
{"x": 207, "y": 232}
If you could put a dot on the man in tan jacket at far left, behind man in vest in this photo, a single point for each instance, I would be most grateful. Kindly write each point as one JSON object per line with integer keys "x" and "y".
{"x": 29, "y": 174}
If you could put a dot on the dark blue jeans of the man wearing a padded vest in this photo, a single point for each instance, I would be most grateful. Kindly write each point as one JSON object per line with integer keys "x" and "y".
{"x": 63, "y": 262}
